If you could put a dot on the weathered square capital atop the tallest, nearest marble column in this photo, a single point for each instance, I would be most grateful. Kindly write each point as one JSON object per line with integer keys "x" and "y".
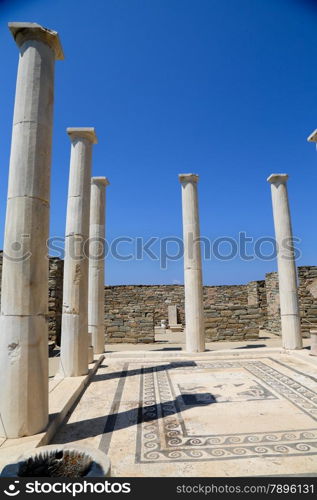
{"x": 22, "y": 32}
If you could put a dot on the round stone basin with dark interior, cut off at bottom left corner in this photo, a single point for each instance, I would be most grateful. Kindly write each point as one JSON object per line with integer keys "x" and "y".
{"x": 59, "y": 461}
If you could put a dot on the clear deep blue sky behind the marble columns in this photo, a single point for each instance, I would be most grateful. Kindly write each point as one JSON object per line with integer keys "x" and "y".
{"x": 226, "y": 89}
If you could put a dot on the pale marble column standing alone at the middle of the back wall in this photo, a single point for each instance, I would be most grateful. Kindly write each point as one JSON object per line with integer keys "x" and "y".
{"x": 194, "y": 317}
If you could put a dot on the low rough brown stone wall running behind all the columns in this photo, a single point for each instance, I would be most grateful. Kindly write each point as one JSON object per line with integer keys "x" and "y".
{"x": 234, "y": 312}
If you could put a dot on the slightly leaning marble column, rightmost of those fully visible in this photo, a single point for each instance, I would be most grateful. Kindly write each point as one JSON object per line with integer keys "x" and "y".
{"x": 287, "y": 275}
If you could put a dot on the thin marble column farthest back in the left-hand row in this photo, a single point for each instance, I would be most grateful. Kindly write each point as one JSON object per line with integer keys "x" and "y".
{"x": 96, "y": 294}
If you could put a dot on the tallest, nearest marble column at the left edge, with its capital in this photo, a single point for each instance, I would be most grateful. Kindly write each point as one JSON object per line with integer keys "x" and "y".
{"x": 24, "y": 297}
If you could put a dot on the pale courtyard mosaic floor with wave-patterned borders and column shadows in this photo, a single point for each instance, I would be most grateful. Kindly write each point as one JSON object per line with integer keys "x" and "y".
{"x": 201, "y": 418}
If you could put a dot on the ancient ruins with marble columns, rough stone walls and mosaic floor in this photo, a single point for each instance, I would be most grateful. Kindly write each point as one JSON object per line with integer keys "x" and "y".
{"x": 185, "y": 380}
